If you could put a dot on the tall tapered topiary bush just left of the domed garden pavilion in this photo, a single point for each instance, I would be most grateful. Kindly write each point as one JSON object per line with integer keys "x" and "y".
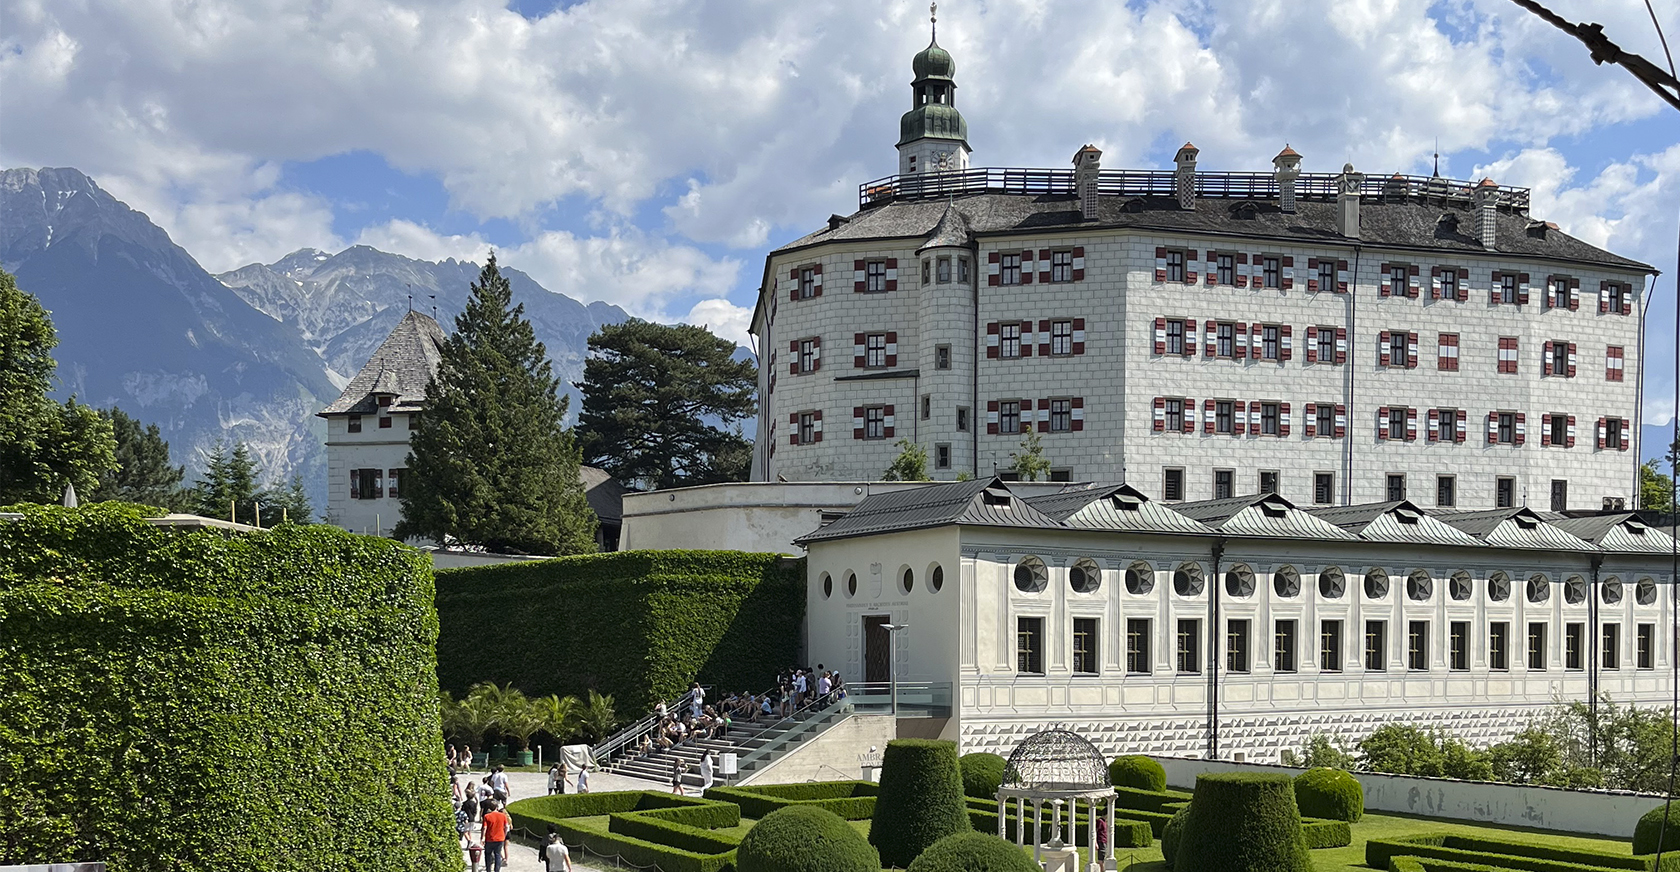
{"x": 920, "y": 801}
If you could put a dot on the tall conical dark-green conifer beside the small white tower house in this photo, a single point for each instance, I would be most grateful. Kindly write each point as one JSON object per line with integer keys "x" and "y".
{"x": 495, "y": 465}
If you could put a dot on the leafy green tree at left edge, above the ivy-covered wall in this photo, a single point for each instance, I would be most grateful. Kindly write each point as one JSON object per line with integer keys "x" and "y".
{"x": 45, "y": 444}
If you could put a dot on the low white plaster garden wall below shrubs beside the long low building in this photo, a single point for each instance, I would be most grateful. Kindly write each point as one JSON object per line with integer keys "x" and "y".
{"x": 1593, "y": 812}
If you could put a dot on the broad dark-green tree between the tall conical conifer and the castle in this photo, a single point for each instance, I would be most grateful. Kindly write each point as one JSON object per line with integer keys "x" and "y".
{"x": 649, "y": 397}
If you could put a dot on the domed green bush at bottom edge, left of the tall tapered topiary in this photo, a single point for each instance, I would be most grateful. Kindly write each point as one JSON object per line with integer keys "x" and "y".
{"x": 806, "y": 839}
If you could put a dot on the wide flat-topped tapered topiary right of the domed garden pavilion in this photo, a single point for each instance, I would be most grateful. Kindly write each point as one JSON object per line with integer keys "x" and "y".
{"x": 1242, "y": 822}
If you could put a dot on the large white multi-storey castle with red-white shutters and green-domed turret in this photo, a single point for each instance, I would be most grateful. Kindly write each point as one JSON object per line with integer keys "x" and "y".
{"x": 1333, "y": 339}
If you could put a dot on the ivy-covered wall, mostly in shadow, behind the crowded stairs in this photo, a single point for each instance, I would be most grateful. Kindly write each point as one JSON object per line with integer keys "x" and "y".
{"x": 639, "y": 626}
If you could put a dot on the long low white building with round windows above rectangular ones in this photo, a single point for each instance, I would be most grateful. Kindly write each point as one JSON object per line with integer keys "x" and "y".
{"x": 1239, "y": 626}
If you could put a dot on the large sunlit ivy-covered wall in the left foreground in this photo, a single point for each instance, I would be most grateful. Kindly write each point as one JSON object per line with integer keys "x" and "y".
{"x": 219, "y": 701}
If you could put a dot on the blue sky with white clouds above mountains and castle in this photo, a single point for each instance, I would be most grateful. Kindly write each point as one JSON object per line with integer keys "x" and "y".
{"x": 651, "y": 152}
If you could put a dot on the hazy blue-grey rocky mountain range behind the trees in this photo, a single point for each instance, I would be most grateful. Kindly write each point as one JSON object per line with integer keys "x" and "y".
{"x": 248, "y": 355}
